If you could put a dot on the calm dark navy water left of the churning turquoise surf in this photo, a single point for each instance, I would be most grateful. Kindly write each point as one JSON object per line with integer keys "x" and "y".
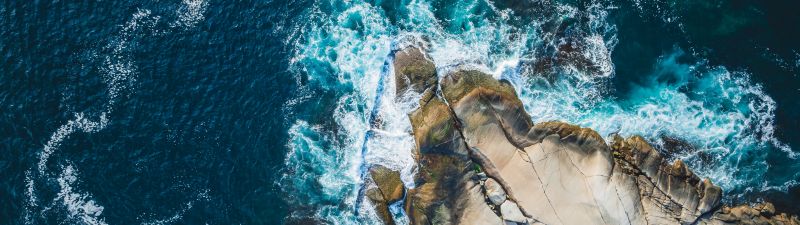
{"x": 200, "y": 123}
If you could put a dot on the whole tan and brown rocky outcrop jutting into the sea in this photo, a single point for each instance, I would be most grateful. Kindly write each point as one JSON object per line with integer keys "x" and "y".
{"x": 482, "y": 161}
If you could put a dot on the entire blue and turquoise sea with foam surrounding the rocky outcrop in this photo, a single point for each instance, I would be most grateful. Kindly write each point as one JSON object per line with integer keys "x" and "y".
{"x": 257, "y": 112}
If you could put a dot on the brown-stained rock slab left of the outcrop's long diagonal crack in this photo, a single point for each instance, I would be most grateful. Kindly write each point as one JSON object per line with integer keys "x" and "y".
{"x": 445, "y": 192}
